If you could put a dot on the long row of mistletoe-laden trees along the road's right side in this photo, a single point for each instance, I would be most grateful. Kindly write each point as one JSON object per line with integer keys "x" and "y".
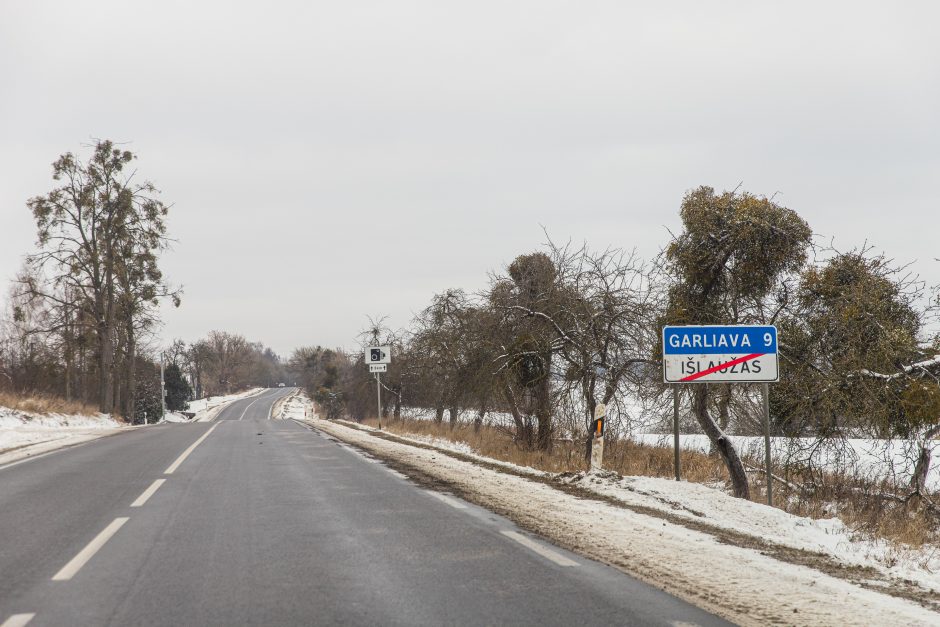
{"x": 566, "y": 328}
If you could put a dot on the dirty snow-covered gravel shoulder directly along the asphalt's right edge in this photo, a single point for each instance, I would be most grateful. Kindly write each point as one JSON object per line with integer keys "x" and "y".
{"x": 695, "y": 564}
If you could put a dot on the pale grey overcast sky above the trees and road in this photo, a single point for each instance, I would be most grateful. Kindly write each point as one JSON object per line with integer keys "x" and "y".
{"x": 329, "y": 160}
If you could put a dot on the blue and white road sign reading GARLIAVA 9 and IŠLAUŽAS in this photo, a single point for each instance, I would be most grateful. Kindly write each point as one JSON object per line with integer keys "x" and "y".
{"x": 710, "y": 354}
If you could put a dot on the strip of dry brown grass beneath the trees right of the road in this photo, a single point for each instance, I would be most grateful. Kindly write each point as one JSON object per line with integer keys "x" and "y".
{"x": 853, "y": 499}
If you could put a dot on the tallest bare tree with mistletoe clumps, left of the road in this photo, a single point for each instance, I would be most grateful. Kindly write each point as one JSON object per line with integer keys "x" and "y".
{"x": 99, "y": 233}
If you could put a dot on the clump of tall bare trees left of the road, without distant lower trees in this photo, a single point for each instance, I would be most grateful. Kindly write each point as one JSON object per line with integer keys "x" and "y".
{"x": 87, "y": 297}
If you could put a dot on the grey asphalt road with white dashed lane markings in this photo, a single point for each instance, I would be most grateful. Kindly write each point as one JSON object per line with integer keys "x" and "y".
{"x": 270, "y": 523}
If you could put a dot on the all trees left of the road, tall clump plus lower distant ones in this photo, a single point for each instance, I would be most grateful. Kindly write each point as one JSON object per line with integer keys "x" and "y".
{"x": 82, "y": 313}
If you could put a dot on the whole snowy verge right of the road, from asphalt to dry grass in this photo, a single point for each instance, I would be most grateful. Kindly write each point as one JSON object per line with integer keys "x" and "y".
{"x": 783, "y": 574}
